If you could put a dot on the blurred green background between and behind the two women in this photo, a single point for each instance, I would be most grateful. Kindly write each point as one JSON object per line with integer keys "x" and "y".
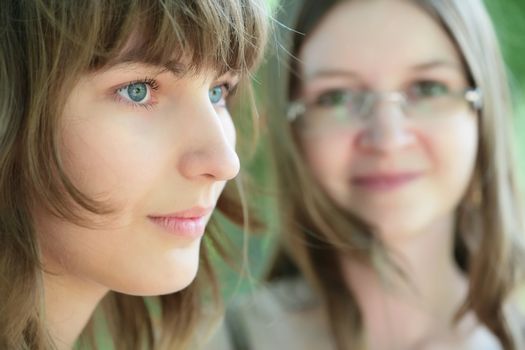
{"x": 509, "y": 18}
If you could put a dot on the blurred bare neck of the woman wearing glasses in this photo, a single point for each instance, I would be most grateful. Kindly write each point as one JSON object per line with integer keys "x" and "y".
{"x": 402, "y": 312}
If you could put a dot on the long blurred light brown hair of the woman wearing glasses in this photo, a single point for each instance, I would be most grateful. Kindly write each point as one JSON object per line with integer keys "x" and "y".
{"x": 489, "y": 245}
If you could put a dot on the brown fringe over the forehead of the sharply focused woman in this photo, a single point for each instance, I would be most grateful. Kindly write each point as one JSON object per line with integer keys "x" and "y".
{"x": 225, "y": 35}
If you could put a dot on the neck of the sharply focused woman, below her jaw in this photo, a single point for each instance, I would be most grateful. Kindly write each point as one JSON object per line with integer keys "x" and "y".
{"x": 69, "y": 304}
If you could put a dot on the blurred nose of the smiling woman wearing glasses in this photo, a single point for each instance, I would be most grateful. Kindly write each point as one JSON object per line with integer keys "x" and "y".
{"x": 386, "y": 129}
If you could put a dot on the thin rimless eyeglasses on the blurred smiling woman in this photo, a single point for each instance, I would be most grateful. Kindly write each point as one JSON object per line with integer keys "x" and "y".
{"x": 342, "y": 107}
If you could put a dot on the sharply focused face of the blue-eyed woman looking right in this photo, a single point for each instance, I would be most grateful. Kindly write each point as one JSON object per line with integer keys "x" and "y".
{"x": 158, "y": 148}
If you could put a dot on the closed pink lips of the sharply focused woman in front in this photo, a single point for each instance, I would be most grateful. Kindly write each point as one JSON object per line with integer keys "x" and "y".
{"x": 189, "y": 223}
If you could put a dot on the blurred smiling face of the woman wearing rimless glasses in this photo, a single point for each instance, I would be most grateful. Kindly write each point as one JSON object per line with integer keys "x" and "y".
{"x": 400, "y": 168}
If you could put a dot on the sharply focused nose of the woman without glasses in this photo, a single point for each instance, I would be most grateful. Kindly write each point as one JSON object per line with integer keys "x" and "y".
{"x": 210, "y": 153}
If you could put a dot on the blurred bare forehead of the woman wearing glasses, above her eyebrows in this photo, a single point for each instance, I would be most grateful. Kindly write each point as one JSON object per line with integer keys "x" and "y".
{"x": 375, "y": 38}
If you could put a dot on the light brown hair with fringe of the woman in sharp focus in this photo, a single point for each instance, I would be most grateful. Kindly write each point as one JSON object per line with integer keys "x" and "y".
{"x": 45, "y": 46}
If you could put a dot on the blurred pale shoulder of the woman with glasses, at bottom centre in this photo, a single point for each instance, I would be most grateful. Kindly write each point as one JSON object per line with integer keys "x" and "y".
{"x": 283, "y": 315}
